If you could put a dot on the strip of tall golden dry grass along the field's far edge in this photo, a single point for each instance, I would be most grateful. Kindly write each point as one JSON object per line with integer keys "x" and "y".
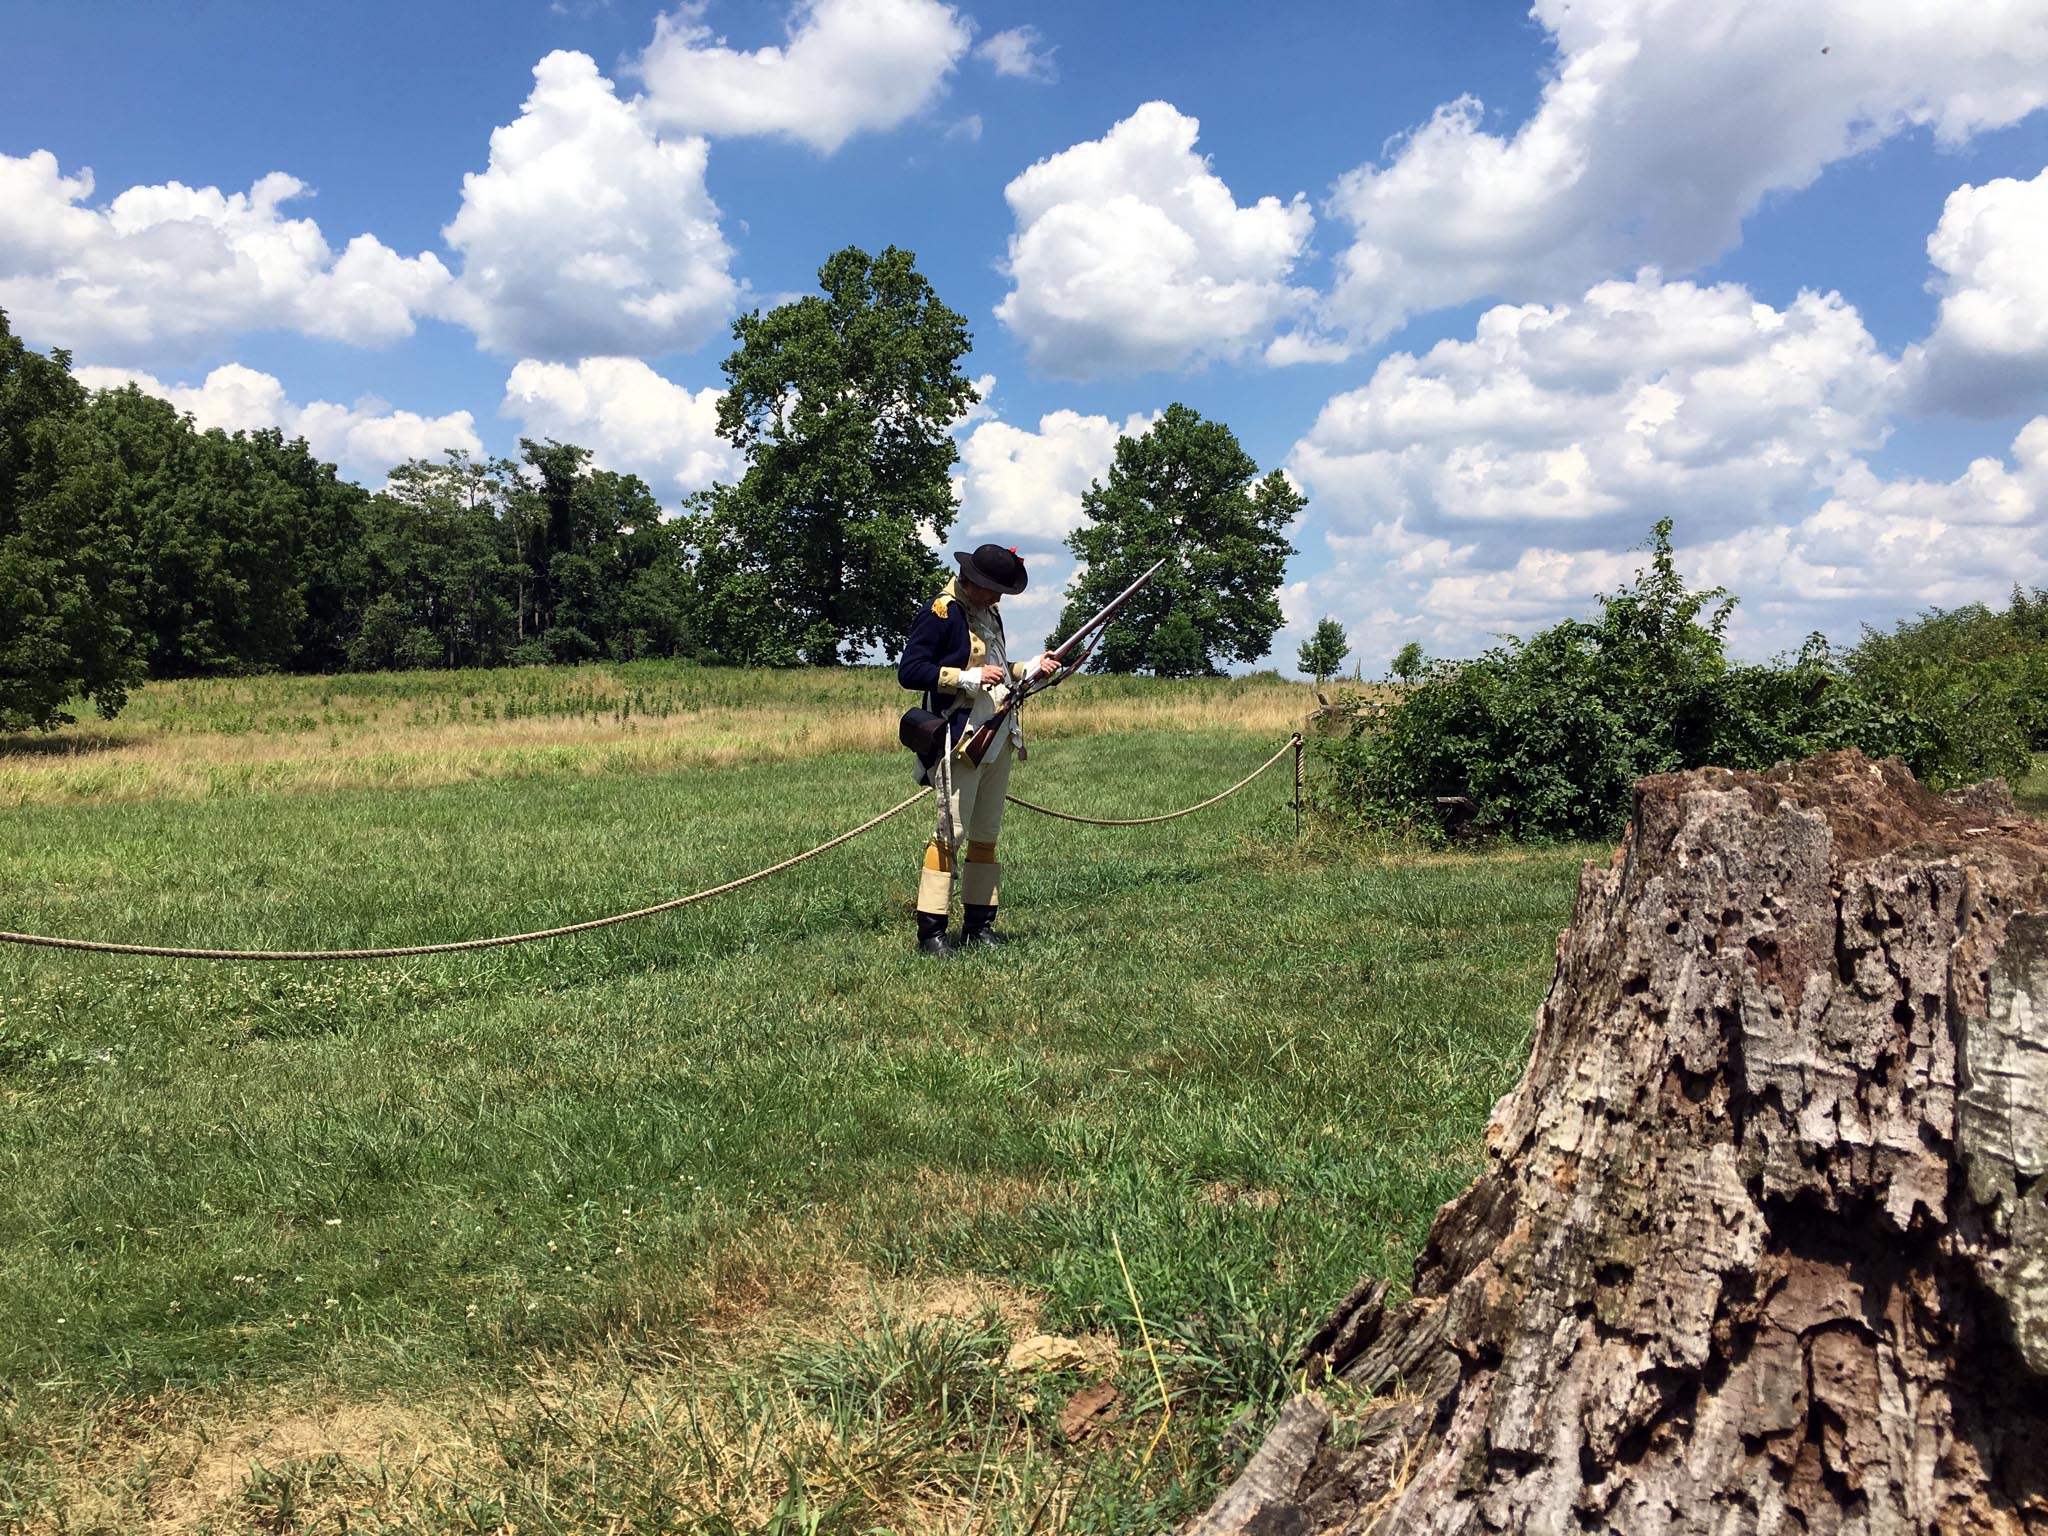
{"x": 202, "y": 740}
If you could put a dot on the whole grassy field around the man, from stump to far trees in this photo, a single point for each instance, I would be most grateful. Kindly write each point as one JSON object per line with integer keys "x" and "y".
{"x": 722, "y": 1220}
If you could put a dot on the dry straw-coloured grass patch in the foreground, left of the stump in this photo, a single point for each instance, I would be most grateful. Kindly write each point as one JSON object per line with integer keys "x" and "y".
{"x": 187, "y": 1465}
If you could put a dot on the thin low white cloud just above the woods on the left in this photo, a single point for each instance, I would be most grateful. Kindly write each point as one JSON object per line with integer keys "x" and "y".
{"x": 366, "y": 439}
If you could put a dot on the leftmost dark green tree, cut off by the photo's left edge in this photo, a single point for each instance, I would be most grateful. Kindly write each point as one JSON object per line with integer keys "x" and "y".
{"x": 67, "y": 560}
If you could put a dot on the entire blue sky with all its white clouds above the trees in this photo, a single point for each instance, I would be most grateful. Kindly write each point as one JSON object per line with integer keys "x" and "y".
{"x": 1496, "y": 288}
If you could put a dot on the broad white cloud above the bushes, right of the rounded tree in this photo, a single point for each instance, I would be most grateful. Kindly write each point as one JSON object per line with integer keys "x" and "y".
{"x": 1598, "y": 417}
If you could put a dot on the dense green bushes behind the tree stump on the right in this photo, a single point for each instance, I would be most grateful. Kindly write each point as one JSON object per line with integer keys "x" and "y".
{"x": 1545, "y": 738}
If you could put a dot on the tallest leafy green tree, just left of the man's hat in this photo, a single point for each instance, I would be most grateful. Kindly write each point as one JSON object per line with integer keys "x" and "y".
{"x": 843, "y": 407}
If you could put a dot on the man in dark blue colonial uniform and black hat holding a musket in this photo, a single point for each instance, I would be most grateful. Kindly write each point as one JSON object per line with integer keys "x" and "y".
{"x": 955, "y": 656}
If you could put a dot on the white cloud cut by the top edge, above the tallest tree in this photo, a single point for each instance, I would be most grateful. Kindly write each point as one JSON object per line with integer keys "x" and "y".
{"x": 847, "y": 67}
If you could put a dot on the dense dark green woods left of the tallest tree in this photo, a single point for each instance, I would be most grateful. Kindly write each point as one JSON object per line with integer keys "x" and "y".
{"x": 136, "y": 546}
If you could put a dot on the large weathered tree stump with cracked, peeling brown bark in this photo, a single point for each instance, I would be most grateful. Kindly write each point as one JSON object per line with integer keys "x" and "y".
{"x": 1764, "y": 1236}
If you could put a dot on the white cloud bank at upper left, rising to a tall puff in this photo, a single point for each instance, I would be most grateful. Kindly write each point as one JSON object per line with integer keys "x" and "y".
{"x": 587, "y": 234}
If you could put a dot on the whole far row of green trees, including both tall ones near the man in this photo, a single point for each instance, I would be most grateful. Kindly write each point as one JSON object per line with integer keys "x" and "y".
{"x": 136, "y": 546}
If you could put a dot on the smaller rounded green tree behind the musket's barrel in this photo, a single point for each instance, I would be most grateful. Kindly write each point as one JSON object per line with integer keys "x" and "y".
{"x": 1185, "y": 490}
